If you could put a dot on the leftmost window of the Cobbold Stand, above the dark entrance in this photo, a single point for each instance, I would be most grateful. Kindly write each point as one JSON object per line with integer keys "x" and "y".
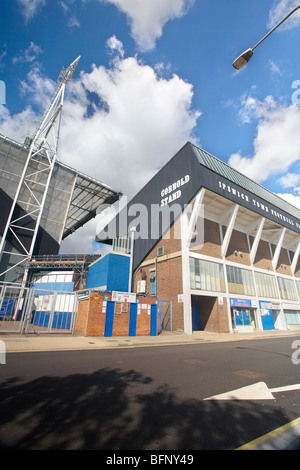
{"x": 206, "y": 275}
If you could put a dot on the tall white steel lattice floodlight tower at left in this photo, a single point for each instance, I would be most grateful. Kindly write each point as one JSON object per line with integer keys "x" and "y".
{"x": 34, "y": 182}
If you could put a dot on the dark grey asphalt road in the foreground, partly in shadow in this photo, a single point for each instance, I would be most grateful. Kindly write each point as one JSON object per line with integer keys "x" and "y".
{"x": 150, "y": 398}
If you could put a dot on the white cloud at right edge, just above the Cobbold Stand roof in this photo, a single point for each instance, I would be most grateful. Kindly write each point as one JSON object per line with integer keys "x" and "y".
{"x": 277, "y": 141}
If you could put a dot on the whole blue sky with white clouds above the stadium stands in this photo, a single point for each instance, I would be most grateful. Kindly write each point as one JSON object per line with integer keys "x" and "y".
{"x": 154, "y": 74}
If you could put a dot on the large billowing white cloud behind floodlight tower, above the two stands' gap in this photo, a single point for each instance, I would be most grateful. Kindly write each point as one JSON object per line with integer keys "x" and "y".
{"x": 119, "y": 124}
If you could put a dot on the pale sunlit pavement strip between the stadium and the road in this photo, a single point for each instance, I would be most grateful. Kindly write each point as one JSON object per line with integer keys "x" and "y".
{"x": 31, "y": 342}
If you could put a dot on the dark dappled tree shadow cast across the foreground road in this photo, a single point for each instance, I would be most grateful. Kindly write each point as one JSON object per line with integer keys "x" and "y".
{"x": 114, "y": 409}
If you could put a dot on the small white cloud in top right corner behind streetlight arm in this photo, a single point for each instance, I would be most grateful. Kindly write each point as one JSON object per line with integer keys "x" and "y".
{"x": 280, "y": 10}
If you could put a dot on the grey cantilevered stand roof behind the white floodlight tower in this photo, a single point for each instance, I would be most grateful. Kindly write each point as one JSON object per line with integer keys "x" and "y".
{"x": 73, "y": 198}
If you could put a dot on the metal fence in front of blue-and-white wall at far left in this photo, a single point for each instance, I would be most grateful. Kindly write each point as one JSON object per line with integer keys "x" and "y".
{"x": 28, "y": 311}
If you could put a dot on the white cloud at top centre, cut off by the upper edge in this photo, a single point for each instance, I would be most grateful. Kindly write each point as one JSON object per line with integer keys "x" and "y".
{"x": 148, "y": 17}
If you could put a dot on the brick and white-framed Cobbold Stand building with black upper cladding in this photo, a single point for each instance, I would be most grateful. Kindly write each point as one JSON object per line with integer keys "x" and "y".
{"x": 223, "y": 250}
